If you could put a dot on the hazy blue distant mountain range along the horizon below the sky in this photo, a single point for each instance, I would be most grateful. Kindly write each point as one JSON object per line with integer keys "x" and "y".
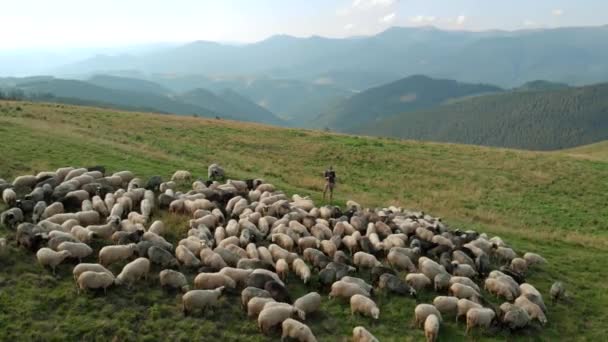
{"x": 569, "y": 55}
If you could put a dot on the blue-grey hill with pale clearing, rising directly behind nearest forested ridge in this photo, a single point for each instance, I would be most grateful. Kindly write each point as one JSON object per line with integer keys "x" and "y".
{"x": 408, "y": 94}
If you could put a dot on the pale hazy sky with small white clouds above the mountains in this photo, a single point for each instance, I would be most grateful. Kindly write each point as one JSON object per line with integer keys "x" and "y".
{"x": 44, "y": 24}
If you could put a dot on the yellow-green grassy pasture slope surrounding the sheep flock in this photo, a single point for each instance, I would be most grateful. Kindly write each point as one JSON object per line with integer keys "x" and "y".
{"x": 550, "y": 203}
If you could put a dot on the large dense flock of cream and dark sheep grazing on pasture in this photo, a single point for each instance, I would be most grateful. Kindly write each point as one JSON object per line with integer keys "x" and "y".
{"x": 248, "y": 236}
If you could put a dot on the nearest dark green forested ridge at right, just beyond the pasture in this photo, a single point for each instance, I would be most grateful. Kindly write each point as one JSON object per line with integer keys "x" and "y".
{"x": 537, "y": 120}
